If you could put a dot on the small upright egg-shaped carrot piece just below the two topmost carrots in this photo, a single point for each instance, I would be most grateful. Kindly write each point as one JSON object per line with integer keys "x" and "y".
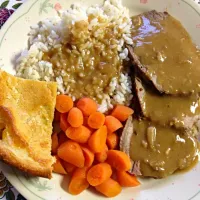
{"x": 75, "y": 117}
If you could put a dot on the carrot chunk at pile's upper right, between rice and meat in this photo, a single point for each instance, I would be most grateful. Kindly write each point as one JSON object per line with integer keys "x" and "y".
{"x": 122, "y": 112}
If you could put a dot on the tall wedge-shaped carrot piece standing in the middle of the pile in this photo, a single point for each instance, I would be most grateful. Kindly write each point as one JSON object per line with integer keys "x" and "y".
{"x": 97, "y": 140}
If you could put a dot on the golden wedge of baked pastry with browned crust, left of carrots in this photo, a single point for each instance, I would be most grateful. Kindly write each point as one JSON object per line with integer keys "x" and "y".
{"x": 25, "y": 139}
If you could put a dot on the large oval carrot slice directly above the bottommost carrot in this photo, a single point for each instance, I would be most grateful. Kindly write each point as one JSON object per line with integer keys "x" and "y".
{"x": 99, "y": 173}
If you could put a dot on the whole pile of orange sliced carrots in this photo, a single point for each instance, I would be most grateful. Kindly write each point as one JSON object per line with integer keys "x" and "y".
{"x": 86, "y": 147}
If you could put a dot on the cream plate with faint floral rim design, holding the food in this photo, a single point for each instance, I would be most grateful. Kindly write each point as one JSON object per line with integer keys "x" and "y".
{"x": 13, "y": 38}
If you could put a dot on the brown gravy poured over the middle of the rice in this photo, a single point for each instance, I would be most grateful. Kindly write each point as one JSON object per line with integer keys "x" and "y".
{"x": 87, "y": 66}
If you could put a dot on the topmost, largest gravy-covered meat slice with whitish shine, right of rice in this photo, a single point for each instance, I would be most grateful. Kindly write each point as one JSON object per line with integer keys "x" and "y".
{"x": 164, "y": 54}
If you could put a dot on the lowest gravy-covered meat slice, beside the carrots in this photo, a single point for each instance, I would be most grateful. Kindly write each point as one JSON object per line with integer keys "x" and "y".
{"x": 159, "y": 151}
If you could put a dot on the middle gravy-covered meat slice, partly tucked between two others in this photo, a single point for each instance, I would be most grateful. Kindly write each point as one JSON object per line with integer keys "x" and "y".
{"x": 181, "y": 112}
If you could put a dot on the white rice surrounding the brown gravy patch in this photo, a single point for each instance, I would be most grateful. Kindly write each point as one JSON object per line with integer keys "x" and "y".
{"x": 54, "y": 32}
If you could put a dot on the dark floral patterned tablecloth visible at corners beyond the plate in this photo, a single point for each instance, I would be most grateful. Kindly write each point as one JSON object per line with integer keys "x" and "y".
{"x": 7, "y": 7}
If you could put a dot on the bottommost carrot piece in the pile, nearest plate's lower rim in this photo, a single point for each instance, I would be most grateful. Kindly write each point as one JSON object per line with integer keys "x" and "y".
{"x": 110, "y": 188}
